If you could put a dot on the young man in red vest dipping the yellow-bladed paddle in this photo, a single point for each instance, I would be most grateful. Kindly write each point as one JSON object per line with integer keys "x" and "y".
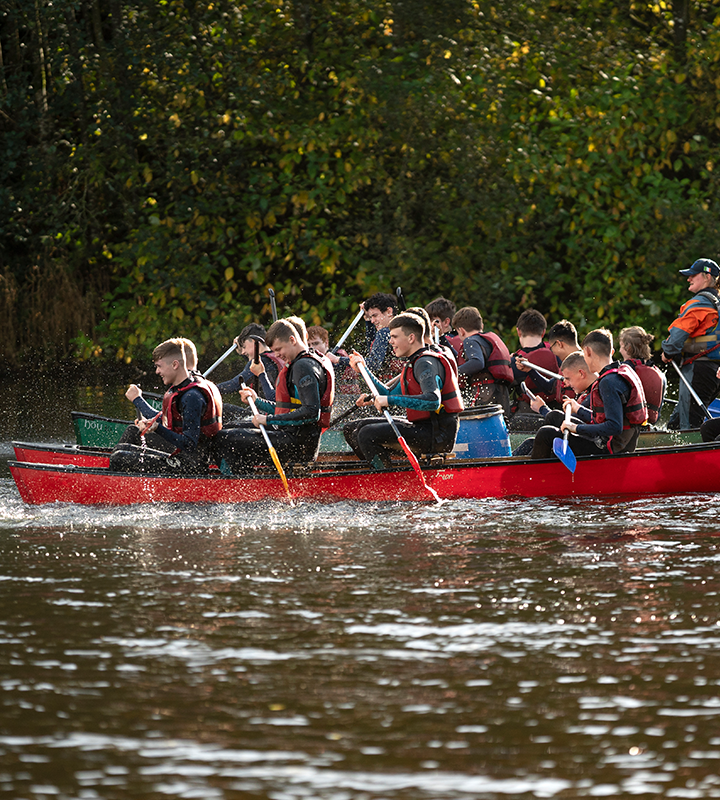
{"x": 304, "y": 396}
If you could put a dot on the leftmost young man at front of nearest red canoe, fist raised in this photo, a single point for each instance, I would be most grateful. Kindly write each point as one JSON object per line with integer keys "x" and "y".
{"x": 191, "y": 416}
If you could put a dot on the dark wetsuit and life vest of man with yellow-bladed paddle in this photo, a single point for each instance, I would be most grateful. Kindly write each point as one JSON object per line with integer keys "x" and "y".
{"x": 295, "y": 435}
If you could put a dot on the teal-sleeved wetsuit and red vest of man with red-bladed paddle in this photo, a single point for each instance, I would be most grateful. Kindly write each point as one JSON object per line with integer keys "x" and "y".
{"x": 373, "y": 440}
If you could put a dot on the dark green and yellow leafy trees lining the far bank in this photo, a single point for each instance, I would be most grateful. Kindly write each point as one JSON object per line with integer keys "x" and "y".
{"x": 162, "y": 165}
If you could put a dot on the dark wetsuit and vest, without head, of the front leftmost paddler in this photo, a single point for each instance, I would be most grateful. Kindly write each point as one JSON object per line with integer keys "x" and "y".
{"x": 190, "y": 447}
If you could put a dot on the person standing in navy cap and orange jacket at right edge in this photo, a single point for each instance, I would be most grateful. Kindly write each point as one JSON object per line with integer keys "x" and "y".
{"x": 694, "y": 343}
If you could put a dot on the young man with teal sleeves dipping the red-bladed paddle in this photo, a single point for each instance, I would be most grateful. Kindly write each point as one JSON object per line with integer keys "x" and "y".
{"x": 428, "y": 391}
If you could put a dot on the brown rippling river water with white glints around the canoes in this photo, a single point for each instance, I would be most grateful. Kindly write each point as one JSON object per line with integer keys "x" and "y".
{"x": 483, "y": 649}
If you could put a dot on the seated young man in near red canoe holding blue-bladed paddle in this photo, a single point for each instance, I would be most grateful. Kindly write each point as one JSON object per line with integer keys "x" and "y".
{"x": 617, "y": 406}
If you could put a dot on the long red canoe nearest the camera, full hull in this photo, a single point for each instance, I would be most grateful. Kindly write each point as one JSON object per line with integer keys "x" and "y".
{"x": 664, "y": 470}
